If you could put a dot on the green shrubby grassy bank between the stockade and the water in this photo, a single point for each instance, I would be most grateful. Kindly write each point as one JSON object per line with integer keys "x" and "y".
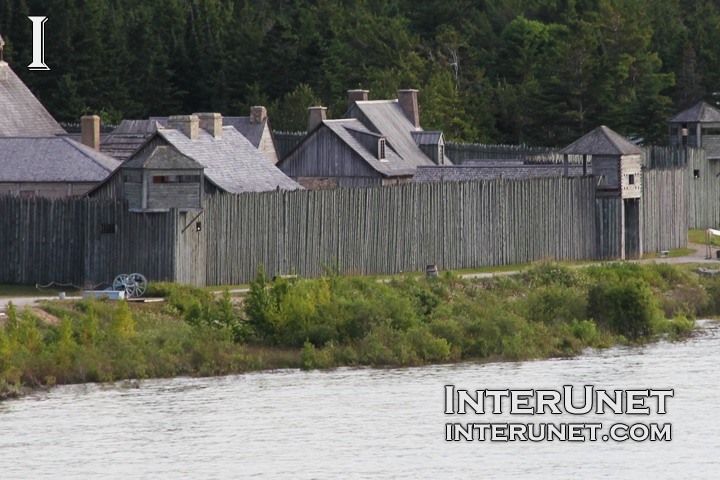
{"x": 549, "y": 310}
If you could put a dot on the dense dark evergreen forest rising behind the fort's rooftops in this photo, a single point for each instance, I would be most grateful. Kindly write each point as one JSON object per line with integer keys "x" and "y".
{"x": 540, "y": 72}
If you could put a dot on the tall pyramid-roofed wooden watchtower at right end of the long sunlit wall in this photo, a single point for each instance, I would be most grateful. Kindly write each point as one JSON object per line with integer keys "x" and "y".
{"x": 617, "y": 168}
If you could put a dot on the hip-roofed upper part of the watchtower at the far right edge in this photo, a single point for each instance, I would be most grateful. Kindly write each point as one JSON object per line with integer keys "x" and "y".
{"x": 698, "y": 126}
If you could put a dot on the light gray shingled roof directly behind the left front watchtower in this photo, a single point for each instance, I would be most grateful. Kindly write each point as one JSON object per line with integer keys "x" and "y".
{"x": 231, "y": 162}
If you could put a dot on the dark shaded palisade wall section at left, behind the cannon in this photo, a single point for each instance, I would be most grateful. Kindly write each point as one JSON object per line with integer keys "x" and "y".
{"x": 62, "y": 241}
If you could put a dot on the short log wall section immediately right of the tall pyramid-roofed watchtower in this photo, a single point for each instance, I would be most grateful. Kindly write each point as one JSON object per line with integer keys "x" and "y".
{"x": 664, "y": 206}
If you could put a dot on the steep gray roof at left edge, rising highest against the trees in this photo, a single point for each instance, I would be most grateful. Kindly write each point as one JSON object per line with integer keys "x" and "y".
{"x": 21, "y": 114}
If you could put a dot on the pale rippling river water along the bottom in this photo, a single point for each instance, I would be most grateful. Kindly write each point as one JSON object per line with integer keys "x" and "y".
{"x": 365, "y": 423}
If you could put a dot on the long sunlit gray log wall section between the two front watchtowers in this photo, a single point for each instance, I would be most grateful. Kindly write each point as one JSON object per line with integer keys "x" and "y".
{"x": 403, "y": 228}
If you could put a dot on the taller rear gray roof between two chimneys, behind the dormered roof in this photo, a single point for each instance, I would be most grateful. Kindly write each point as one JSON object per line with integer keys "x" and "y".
{"x": 388, "y": 119}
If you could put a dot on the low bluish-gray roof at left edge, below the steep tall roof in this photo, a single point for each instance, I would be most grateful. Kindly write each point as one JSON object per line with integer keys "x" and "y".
{"x": 52, "y": 159}
